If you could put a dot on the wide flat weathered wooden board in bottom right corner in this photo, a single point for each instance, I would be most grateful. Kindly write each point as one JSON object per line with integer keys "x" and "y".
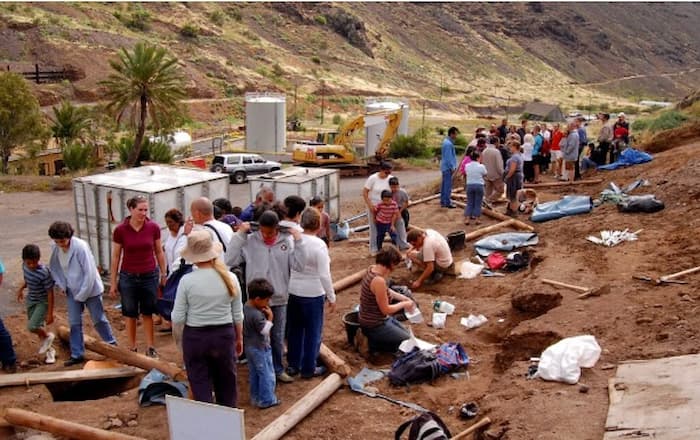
{"x": 658, "y": 399}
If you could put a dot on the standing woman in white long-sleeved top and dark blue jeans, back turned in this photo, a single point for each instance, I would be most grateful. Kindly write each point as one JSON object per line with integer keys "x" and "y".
{"x": 309, "y": 289}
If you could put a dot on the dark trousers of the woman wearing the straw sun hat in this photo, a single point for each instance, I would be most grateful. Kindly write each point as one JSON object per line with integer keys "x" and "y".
{"x": 210, "y": 360}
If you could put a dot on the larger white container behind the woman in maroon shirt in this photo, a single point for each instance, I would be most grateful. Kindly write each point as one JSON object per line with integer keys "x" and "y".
{"x": 100, "y": 200}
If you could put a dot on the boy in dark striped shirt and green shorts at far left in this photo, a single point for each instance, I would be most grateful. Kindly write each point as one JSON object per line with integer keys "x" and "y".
{"x": 39, "y": 299}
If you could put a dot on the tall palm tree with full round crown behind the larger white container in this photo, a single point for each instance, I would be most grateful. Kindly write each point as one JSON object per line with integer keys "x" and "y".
{"x": 146, "y": 84}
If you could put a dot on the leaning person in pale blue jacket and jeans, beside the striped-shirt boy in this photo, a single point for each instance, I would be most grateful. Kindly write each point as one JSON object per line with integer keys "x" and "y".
{"x": 75, "y": 273}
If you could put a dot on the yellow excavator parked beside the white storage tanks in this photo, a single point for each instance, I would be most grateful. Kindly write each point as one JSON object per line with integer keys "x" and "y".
{"x": 334, "y": 149}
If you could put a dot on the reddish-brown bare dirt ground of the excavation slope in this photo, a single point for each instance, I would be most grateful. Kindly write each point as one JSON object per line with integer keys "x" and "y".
{"x": 633, "y": 320}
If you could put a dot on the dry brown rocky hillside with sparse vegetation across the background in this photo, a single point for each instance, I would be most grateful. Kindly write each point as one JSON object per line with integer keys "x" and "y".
{"x": 478, "y": 54}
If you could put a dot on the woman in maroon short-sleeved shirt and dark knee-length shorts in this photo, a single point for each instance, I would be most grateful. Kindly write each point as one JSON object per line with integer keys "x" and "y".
{"x": 136, "y": 242}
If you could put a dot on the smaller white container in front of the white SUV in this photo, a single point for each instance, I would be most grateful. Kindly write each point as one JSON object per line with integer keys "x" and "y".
{"x": 303, "y": 182}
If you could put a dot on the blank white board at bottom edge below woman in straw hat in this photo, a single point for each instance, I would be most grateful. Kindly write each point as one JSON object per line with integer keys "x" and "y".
{"x": 192, "y": 420}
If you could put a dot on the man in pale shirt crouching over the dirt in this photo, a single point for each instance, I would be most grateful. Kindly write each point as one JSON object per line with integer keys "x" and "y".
{"x": 430, "y": 252}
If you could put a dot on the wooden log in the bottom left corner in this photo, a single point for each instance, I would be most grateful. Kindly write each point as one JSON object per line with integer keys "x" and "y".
{"x": 29, "y": 419}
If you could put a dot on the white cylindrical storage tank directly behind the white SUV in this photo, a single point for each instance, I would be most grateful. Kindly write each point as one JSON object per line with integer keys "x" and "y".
{"x": 265, "y": 122}
